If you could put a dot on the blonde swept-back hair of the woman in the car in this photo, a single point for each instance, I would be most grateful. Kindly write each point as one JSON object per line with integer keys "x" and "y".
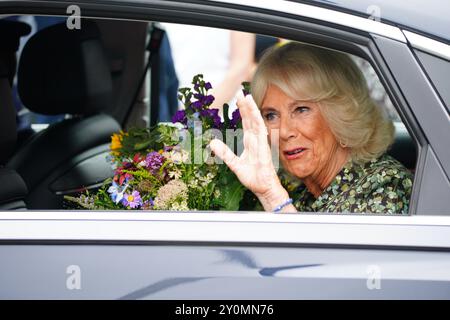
{"x": 334, "y": 81}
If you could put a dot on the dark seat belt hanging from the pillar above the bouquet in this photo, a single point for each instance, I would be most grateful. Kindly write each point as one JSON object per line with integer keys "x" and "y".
{"x": 153, "y": 46}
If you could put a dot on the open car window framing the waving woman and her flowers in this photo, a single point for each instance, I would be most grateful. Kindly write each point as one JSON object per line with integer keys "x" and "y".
{"x": 332, "y": 138}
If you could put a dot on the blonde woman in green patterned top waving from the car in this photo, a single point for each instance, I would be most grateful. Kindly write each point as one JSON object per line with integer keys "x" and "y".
{"x": 332, "y": 137}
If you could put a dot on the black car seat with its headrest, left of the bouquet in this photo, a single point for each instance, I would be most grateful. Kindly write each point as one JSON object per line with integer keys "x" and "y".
{"x": 64, "y": 71}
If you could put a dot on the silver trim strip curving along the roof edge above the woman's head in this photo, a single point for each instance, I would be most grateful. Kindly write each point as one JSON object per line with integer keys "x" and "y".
{"x": 323, "y": 14}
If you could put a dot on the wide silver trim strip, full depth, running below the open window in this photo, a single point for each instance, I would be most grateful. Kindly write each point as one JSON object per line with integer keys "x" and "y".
{"x": 262, "y": 228}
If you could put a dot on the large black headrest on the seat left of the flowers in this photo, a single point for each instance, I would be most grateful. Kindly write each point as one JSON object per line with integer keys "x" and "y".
{"x": 65, "y": 71}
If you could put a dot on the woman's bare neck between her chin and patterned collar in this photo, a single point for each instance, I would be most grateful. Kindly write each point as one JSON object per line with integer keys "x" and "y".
{"x": 316, "y": 185}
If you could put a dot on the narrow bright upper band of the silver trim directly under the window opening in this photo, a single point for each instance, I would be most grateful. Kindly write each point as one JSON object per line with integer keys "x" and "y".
{"x": 227, "y": 216}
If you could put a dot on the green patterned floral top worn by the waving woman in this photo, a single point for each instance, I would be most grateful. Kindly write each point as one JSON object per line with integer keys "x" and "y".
{"x": 382, "y": 185}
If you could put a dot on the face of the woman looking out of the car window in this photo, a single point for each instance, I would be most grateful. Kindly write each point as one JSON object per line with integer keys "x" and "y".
{"x": 308, "y": 148}
